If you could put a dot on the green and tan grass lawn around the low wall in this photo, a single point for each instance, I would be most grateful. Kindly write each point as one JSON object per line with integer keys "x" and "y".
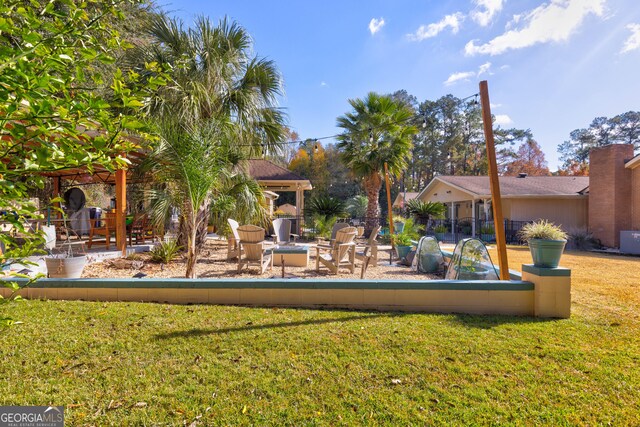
{"x": 154, "y": 364}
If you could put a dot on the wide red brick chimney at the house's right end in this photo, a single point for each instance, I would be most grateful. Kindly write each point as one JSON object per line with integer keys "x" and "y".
{"x": 609, "y": 192}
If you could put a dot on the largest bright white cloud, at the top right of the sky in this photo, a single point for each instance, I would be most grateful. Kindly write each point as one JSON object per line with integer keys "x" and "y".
{"x": 551, "y": 22}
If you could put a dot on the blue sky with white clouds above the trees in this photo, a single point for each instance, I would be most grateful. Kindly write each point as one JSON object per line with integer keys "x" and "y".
{"x": 551, "y": 66}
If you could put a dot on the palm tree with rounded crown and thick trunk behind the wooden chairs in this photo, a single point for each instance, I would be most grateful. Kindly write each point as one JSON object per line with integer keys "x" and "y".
{"x": 376, "y": 132}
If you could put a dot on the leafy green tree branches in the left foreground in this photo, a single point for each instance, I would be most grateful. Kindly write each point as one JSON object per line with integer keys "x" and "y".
{"x": 59, "y": 108}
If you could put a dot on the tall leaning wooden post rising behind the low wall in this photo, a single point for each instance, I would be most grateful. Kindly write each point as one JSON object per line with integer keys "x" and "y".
{"x": 498, "y": 222}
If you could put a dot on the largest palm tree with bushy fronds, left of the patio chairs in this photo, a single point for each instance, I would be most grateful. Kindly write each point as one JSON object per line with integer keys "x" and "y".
{"x": 218, "y": 109}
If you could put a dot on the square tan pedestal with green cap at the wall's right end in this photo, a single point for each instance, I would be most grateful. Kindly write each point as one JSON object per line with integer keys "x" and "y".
{"x": 552, "y": 290}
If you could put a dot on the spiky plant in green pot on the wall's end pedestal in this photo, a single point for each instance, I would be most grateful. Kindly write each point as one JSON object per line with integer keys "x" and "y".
{"x": 546, "y": 242}
